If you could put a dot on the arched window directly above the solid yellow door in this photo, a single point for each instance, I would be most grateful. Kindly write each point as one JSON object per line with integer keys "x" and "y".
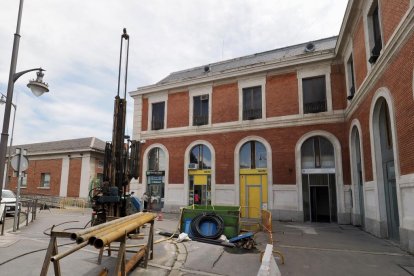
{"x": 253, "y": 155}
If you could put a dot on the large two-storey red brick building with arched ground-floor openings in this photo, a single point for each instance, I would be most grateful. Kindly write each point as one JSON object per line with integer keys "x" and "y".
{"x": 320, "y": 131}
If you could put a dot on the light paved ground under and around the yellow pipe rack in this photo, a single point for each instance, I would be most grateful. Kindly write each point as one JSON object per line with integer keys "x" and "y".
{"x": 23, "y": 252}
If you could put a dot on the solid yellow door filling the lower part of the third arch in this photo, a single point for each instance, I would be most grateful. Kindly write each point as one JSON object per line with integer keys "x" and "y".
{"x": 253, "y": 192}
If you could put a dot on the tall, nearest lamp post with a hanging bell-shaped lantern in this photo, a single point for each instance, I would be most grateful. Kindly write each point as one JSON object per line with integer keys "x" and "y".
{"x": 37, "y": 86}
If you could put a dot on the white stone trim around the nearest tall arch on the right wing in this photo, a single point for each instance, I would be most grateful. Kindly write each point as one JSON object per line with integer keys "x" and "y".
{"x": 376, "y": 149}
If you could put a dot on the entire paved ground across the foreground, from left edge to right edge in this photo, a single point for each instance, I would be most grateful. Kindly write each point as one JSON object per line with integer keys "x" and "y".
{"x": 309, "y": 249}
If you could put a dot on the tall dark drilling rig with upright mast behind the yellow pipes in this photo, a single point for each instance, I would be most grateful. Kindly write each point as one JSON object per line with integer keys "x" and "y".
{"x": 121, "y": 160}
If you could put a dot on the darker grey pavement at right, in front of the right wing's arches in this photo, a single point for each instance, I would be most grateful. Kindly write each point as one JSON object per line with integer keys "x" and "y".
{"x": 331, "y": 249}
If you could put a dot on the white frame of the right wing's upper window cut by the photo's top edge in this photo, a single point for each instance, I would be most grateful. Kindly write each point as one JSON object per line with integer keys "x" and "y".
{"x": 368, "y": 29}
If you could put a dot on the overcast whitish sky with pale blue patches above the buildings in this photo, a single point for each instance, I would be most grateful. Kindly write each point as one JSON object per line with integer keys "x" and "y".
{"x": 78, "y": 41}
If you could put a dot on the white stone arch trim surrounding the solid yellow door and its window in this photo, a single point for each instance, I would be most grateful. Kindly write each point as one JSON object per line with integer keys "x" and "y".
{"x": 269, "y": 168}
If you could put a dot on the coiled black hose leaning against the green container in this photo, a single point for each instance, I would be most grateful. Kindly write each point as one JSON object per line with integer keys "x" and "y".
{"x": 207, "y": 217}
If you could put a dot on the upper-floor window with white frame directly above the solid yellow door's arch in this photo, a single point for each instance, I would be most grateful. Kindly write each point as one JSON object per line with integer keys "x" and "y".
{"x": 252, "y": 95}
